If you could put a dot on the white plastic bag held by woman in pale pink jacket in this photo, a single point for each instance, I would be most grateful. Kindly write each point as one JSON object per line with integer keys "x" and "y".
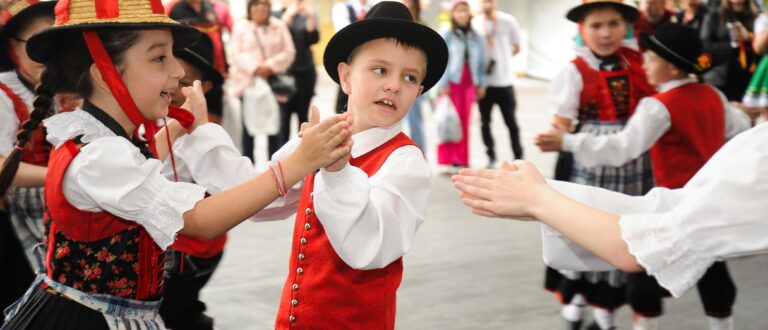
{"x": 261, "y": 114}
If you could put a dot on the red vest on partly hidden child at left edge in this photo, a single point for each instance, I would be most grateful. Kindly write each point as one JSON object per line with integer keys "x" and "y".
{"x": 37, "y": 149}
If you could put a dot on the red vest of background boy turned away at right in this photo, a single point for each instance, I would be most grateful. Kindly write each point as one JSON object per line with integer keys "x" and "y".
{"x": 697, "y": 132}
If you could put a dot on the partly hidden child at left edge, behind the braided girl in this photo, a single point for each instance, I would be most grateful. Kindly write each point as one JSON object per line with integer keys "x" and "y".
{"x": 21, "y": 215}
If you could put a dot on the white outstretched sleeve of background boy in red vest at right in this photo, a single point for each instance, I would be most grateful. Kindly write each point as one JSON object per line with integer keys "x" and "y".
{"x": 649, "y": 123}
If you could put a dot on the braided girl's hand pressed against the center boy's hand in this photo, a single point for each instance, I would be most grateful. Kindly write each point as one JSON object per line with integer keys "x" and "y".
{"x": 324, "y": 142}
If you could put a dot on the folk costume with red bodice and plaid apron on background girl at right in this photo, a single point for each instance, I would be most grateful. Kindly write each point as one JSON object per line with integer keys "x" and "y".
{"x": 601, "y": 94}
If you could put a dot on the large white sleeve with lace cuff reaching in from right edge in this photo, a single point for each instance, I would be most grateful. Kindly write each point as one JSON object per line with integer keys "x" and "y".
{"x": 721, "y": 215}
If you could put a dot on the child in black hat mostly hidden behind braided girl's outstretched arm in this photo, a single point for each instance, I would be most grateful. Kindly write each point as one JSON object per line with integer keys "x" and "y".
{"x": 191, "y": 261}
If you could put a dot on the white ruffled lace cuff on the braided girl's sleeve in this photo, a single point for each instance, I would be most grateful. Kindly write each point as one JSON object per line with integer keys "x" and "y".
{"x": 163, "y": 216}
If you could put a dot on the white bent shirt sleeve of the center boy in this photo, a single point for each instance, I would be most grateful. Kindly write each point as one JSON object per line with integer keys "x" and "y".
{"x": 372, "y": 222}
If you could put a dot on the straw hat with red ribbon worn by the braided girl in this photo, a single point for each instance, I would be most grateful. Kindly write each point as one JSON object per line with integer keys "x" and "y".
{"x": 88, "y": 16}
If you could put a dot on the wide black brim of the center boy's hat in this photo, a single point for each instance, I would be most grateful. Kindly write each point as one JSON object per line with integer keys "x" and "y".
{"x": 350, "y": 37}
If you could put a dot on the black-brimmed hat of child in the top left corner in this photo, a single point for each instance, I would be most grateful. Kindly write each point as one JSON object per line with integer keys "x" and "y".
{"x": 16, "y": 16}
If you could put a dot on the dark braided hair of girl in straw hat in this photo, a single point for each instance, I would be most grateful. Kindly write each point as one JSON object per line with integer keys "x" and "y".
{"x": 67, "y": 72}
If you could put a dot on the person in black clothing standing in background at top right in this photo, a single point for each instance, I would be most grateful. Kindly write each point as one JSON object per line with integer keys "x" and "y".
{"x": 726, "y": 34}
